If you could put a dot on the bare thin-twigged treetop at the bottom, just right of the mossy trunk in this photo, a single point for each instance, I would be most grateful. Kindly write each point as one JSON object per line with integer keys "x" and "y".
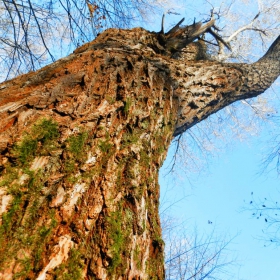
{"x": 192, "y": 255}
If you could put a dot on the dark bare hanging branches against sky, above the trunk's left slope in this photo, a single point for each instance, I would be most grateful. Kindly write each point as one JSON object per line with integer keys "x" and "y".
{"x": 30, "y": 29}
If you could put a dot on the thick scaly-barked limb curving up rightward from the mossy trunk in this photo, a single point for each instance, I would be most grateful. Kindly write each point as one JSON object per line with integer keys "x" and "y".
{"x": 206, "y": 90}
